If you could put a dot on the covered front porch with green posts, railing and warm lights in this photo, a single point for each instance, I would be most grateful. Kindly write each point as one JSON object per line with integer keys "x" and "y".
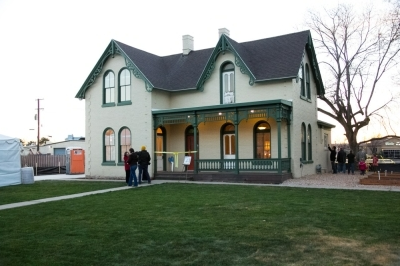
{"x": 236, "y": 143}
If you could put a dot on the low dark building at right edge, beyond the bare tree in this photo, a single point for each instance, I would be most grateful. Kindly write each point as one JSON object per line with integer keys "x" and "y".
{"x": 388, "y": 147}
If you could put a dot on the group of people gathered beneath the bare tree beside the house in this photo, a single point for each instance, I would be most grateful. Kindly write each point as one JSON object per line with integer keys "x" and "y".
{"x": 340, "y": 157}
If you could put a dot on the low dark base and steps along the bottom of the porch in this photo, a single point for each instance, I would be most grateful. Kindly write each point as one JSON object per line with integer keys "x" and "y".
{"x": 257, "y": 178}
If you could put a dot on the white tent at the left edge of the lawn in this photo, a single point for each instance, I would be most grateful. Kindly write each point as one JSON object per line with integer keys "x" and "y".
{"x": 10, "y": 161}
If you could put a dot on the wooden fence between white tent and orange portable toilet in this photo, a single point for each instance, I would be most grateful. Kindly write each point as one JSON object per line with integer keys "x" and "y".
{"x": 34, "y": 160}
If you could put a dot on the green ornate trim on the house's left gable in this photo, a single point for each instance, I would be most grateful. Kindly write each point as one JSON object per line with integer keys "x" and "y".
{"x": 111, "y": 50}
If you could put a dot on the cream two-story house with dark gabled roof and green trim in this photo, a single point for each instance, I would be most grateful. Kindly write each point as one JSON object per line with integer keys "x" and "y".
{"x": 248, "y": 110}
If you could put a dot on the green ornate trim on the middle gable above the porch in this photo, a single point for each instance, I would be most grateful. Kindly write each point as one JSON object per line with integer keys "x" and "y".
{"x": 223, "y": 45}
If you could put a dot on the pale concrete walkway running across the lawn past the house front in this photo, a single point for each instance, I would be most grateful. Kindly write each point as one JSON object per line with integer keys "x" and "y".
{"x": 155, "y": 182}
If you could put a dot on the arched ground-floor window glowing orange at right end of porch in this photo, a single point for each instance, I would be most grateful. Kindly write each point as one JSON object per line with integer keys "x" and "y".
{"x": 262, "y": 132}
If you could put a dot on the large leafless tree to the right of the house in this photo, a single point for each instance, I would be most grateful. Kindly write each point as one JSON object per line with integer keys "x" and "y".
{"x": 357, "y": 51}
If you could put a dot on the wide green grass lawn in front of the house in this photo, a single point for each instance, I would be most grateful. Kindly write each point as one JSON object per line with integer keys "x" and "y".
{"x": 191, "y": 224}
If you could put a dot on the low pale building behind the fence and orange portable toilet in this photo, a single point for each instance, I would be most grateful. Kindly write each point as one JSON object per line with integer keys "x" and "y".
{"x": 57, "y": 148}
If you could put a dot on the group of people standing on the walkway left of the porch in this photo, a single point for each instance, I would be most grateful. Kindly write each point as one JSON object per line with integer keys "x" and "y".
{"x": 137, "y": 160}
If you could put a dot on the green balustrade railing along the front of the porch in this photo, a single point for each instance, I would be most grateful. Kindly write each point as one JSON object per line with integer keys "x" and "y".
{"x": 257, "y": 165}
